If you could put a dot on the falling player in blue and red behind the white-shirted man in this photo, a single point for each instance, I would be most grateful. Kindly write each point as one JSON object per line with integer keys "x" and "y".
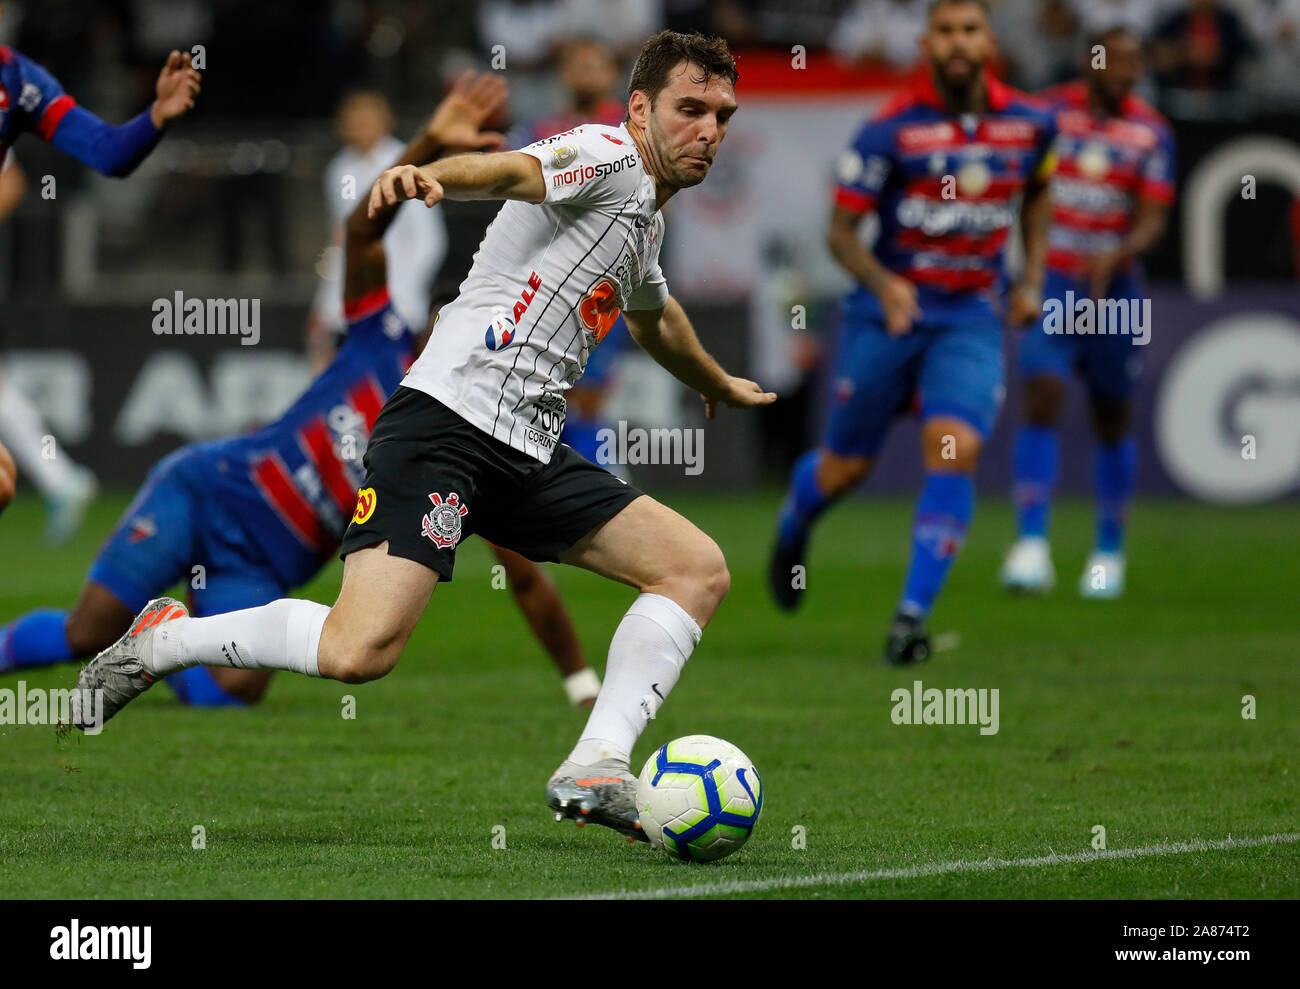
{"x": 244, "y": 520}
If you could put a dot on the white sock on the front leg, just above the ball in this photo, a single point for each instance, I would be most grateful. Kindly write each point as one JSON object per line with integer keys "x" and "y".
{"x": 647, "y": 654}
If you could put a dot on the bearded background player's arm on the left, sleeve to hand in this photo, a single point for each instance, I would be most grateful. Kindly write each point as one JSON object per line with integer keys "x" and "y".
{"x": 864, "y": 171}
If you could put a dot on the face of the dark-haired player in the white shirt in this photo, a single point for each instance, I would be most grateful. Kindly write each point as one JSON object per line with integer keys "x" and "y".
{"x": 687, "y": 123}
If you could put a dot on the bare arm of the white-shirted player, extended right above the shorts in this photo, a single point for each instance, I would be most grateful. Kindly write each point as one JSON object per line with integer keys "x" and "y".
{"x": 668, "y": 336}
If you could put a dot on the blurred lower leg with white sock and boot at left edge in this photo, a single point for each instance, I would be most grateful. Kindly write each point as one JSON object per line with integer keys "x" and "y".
{"x": 67, "y": 487}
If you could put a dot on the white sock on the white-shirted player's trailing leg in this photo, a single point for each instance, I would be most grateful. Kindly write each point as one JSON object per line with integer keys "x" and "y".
{"x": 284, "y": 635}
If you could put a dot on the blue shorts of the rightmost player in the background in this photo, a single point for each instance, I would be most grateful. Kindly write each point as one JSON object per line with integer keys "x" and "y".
{"x": 1110, "y": 365}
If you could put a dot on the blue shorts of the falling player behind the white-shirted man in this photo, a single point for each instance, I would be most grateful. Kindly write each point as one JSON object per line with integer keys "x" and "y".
{"x": 175, "y": 526}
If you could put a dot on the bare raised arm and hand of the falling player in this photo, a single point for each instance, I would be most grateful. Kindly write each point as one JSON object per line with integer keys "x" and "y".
{"x": 454, "y": 127}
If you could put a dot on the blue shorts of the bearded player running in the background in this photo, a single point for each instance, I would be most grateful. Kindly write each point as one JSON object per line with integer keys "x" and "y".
{"x": 951, "y": 362}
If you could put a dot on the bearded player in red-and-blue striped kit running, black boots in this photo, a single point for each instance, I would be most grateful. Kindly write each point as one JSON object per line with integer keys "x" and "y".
{"x": 941, "y": 167}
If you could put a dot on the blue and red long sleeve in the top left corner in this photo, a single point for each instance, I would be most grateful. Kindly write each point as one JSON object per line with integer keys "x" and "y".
{"x": 55, "y": 118}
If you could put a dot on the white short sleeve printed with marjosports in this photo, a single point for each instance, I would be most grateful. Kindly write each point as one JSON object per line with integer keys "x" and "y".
{"x": 592, "y": 166}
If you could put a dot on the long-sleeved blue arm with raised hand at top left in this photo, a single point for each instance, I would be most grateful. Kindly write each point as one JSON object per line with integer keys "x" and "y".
{"x": 114, "y": 151}
